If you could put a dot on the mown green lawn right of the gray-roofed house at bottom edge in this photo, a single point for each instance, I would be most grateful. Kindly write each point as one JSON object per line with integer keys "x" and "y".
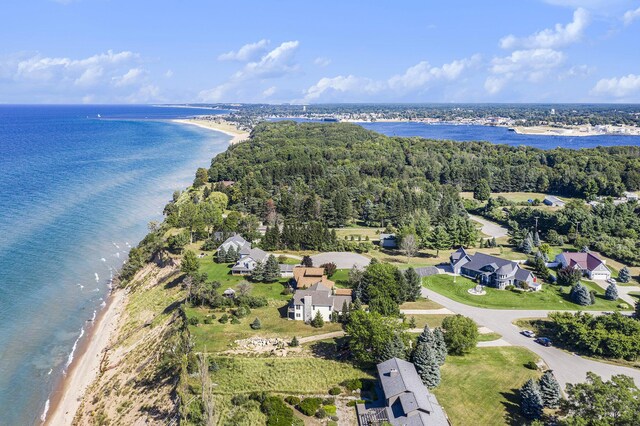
{"x": 481, "y": 388}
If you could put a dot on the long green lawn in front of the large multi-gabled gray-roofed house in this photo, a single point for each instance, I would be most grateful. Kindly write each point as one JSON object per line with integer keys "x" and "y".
{"x": 550, "y": 297}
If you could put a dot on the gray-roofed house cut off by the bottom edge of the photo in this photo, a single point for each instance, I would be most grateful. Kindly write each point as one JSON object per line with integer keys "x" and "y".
{"x": 408, "y": 402}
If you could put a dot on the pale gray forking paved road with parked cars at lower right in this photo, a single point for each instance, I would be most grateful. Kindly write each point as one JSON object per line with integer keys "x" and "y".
{"x": 567, "y": 368}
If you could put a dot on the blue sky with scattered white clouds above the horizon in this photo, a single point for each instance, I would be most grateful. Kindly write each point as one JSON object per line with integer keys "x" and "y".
{"x": 140, "y": 51}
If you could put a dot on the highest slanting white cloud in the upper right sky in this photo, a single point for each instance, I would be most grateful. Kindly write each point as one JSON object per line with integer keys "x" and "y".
{"x": 560, "y": 35}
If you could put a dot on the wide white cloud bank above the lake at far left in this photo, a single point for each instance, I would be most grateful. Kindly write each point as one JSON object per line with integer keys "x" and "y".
{"x": 104, "y": 77}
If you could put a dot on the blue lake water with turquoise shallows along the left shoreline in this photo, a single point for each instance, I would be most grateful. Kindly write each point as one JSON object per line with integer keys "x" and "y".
{"x": 76, "y": 192}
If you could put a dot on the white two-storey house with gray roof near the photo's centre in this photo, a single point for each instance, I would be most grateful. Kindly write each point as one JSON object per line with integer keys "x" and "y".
{"x": 306, "y": 303}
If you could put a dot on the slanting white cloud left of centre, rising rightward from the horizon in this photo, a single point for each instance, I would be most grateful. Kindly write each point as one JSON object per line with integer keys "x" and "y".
{"x": 275, "y": 63}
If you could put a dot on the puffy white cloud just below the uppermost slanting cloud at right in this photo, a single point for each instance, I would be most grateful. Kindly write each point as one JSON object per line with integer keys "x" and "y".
{"x": 529, "y": 65}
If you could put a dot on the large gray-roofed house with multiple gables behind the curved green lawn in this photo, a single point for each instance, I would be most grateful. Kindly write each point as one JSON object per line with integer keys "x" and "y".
{"x": 491, "y": 270}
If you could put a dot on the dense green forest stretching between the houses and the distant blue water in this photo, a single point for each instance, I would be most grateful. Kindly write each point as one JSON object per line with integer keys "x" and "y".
{"x": 340, "y": 171}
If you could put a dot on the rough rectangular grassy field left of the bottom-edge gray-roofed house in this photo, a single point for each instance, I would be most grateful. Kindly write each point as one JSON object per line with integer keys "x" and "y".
{"x": 296, "y": 376}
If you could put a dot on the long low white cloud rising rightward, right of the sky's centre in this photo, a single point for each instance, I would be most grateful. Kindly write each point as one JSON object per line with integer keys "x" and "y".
{"x": 415, "y": 78}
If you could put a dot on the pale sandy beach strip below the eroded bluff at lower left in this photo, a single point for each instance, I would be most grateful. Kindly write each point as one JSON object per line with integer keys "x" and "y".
{"x": 84, "y": 369}
